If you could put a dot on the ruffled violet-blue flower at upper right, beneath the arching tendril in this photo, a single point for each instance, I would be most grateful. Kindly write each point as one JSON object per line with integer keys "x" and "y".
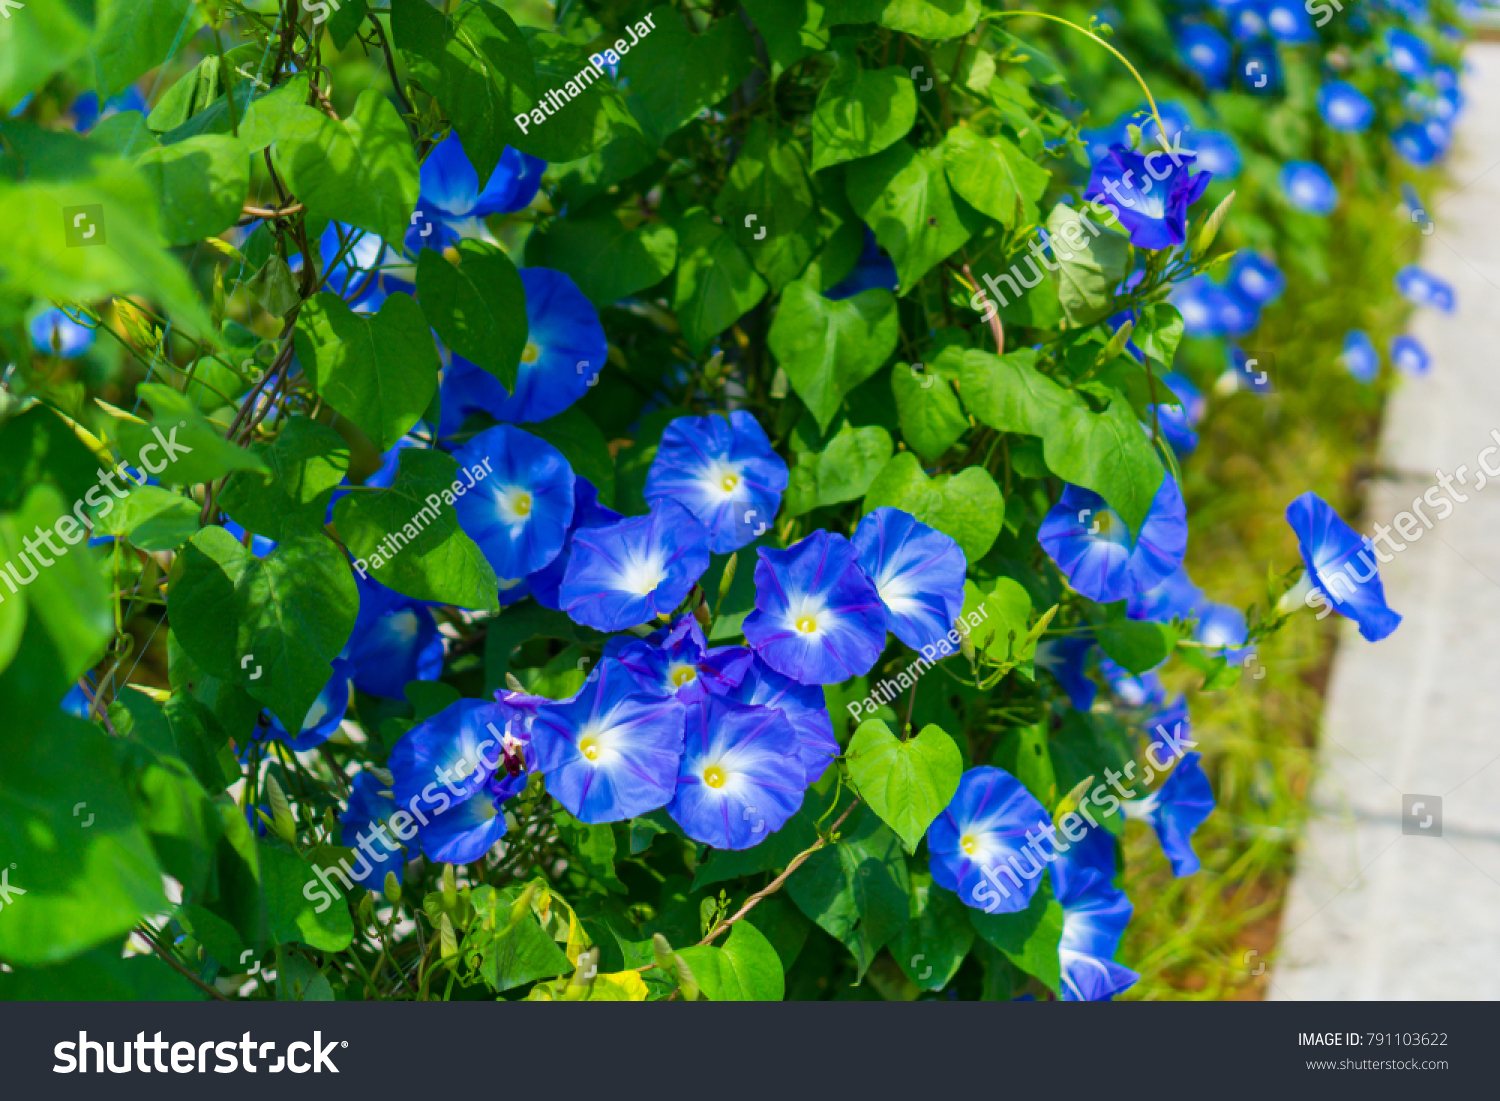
{"x": 1153, "y": 199}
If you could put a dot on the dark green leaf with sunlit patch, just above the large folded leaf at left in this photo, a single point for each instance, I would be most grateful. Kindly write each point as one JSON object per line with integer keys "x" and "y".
{"x": 305, "y": 463}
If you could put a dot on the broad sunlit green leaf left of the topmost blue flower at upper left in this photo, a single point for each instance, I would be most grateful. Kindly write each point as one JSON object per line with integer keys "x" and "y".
{"x": 362, "y": 172}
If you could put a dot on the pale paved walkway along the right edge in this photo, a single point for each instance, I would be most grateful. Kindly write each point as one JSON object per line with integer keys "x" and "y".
{"x": 1376, "y": 913}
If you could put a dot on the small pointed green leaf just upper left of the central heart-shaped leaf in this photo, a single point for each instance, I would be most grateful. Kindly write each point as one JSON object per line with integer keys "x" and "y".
{"x": 716, "y": 284}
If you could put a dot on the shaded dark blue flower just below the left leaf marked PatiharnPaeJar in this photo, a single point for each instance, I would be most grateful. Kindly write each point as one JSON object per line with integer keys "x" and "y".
{"x": 395, "y": 643}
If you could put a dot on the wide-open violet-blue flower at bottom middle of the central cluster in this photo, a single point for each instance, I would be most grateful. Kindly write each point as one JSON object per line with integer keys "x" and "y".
{"x": 740, "y": 779}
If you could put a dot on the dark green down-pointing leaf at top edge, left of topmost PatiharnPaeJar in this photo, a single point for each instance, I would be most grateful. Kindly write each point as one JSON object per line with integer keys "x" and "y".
{"x": 478, "y": 65}
